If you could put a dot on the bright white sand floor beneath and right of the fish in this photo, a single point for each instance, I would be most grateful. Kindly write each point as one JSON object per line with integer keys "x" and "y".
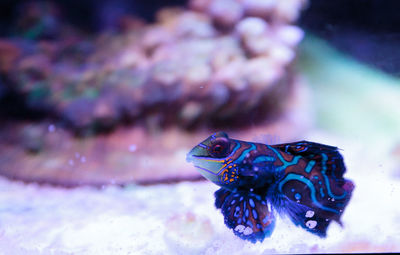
{"x": 181, "y": 218}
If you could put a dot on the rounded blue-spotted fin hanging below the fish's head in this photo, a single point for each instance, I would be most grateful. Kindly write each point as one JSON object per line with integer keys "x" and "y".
{"x": 247, "y": 214}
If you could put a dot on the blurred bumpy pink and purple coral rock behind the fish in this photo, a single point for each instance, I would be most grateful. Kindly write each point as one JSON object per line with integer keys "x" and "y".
{"x": 215, "y": 63}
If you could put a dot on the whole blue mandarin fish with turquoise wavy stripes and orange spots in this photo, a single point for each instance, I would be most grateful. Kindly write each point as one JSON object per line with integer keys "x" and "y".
{"x": 302, "y": 180}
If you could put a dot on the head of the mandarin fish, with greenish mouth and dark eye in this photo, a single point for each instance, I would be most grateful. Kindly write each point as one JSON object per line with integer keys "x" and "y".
{"x": 211, "y": 155}
